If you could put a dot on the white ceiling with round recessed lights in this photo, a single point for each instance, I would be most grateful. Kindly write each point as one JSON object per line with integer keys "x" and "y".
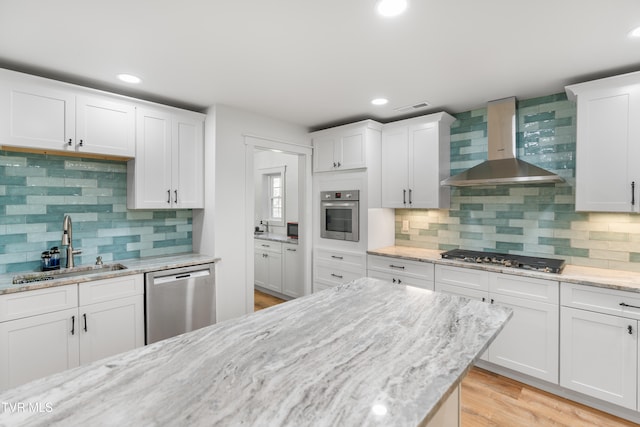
{"x": 320, "y": 62}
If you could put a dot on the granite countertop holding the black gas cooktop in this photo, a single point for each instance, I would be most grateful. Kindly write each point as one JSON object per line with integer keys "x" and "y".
{"x": 600, "y": 277}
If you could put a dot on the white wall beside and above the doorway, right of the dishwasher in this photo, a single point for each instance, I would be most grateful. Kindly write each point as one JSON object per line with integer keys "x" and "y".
{"x": 220, "y": 228}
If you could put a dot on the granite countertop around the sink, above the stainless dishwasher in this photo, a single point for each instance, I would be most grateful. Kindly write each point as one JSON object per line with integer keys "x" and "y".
{"x": 134, "y": 266}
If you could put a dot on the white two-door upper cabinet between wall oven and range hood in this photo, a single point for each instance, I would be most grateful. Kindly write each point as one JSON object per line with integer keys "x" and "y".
{"x": 415, "y": 158}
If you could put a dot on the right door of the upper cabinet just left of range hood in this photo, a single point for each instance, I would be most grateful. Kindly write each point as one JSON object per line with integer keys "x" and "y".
{"x": 424, "y": 167}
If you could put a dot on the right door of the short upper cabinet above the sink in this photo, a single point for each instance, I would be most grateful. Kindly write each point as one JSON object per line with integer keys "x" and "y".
{"x": 104, "y": 126}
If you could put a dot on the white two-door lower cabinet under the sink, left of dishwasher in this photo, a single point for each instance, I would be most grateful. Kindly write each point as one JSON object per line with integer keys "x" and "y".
{"x": 46, "y": 331}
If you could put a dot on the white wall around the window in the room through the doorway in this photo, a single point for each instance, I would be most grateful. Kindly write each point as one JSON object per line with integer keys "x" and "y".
{"x": 264, "y": 159}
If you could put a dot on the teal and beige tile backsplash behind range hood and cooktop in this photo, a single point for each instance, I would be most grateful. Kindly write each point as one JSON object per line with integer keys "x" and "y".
{"x": 538, "y": 220}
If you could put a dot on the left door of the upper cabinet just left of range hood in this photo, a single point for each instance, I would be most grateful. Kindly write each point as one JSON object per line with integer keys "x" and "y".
{"x": 395, "y": 176}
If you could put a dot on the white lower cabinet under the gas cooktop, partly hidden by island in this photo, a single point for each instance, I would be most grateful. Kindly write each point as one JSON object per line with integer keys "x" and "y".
{"x": 529, "y": 341}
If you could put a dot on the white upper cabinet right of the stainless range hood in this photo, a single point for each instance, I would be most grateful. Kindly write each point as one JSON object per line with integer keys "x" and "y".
{"x": 608, "y": 144}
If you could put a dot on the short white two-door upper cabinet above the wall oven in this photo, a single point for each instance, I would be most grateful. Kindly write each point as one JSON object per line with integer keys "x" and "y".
{"x": 345, "y": 147}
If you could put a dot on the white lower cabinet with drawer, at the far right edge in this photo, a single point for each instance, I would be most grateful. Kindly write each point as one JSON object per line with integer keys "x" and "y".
{"x": 599, "y": 343}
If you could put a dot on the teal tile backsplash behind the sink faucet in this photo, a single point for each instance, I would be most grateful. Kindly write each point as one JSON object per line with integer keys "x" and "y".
{"x": 37, "y": 190}
